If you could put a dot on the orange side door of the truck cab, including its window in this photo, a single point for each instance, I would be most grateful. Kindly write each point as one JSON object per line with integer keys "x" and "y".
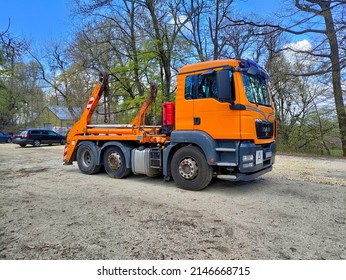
{"x": 210, "y": 113}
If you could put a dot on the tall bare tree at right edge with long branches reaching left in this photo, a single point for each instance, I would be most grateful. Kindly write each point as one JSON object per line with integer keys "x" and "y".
{"x": 329, "y": 37}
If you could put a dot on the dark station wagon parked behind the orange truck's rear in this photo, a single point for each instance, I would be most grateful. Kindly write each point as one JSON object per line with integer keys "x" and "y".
{"x": 36, "y": 137}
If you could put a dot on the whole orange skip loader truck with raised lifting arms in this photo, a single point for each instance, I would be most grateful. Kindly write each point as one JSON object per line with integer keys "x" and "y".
{"x": 222, "y": 124}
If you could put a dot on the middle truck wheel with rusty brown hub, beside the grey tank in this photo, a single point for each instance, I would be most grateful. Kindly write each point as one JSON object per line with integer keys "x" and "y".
{"x": 114, "y": 163}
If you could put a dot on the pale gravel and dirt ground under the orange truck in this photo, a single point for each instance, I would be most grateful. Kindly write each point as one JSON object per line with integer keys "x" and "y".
{"x": 52, "y": 211}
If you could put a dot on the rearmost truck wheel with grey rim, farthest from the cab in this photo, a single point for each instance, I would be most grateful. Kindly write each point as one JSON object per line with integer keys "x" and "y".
{"x": 87, "y": 159}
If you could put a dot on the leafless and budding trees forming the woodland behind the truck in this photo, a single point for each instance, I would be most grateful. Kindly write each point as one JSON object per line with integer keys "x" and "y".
{"x": 302, "y": 45}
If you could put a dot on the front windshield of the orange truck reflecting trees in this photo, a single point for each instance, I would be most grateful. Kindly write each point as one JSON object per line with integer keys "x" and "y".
{"x": 256, "y": 89}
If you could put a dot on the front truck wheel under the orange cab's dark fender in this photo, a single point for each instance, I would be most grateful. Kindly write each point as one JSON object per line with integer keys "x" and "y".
{"x": 190, "y": 170}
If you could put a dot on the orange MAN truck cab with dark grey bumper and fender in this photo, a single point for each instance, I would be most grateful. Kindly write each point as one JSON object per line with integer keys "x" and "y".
{"x": 228, "y": 104}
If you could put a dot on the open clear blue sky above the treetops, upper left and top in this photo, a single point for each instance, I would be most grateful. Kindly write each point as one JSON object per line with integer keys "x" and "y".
{"x": 39, "y": 21}
